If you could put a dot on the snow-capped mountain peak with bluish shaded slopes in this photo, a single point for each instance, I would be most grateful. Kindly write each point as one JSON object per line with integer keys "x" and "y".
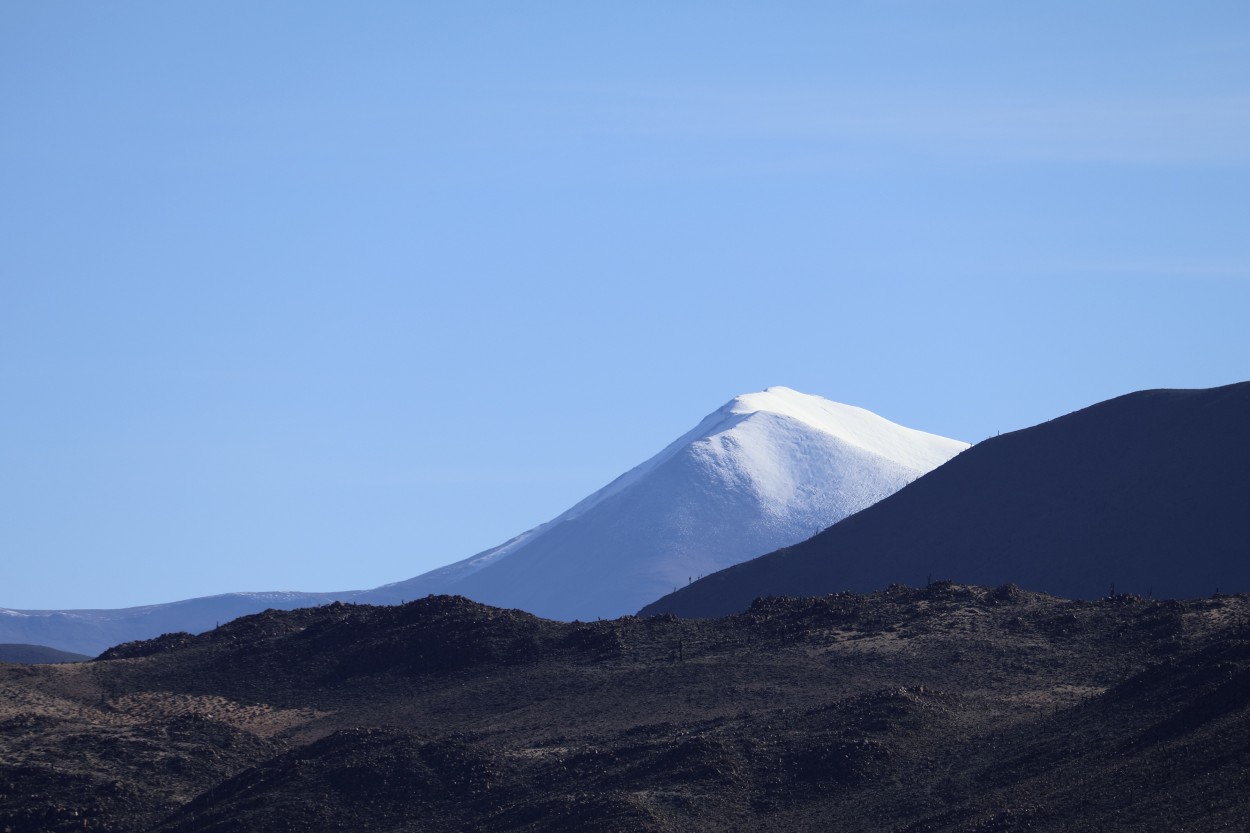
{"x": 766, "y": 471}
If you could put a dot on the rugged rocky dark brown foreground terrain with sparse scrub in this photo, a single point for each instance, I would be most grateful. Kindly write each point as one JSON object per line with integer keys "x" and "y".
{"x": 937, "y": 711}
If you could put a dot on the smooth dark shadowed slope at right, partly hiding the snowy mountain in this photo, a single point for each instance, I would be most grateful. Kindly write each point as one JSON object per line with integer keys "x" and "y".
{"x": 1147, "y": 493}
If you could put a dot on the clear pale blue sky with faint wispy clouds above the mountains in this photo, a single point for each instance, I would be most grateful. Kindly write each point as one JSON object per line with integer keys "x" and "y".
{"x": 321, "y": 296}
